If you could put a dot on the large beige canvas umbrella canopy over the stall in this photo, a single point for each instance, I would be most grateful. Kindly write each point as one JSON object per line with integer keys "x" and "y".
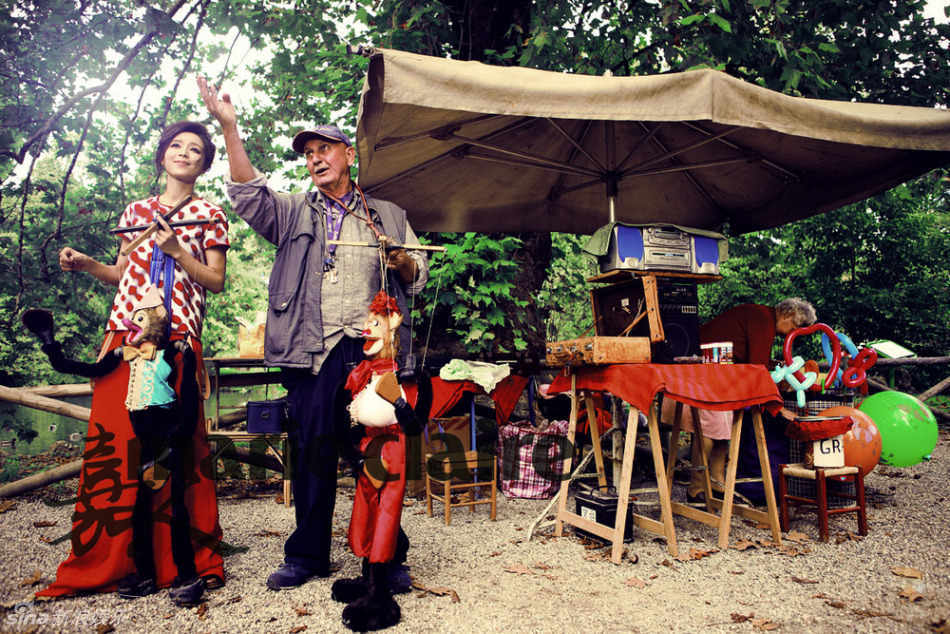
{"x": 468, "y": 147}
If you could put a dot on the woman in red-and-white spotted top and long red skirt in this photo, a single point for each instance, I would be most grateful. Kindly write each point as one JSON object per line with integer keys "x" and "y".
{"x": 188, "y": 261}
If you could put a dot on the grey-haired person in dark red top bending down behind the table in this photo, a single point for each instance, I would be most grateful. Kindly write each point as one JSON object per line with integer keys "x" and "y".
{"x": 752, "y": 329}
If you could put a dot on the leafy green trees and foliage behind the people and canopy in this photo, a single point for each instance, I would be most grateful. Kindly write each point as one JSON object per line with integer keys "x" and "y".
{"x": 71, "y": 158}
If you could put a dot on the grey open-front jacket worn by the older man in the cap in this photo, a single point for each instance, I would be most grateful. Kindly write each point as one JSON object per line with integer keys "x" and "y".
{"x": 294, "y": 324}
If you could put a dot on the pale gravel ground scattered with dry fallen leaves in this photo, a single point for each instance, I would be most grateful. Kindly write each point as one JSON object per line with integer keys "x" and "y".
{"x": 486, "y": 576}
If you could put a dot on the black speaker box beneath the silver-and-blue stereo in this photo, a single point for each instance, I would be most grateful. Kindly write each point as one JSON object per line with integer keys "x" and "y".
{"x": 617, "y": 305}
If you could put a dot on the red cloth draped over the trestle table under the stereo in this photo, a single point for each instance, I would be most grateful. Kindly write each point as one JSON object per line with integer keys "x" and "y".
{"x": 720, "y": 387}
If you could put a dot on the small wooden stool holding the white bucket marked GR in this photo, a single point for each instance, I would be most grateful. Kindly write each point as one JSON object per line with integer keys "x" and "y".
{"x": 820, "y": 476}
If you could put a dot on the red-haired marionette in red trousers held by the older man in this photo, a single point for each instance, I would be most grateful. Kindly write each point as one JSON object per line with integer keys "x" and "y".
{"x": 373, "y": 398}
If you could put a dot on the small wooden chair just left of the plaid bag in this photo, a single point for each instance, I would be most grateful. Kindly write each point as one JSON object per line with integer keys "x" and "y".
{"x": 456, "y": 472}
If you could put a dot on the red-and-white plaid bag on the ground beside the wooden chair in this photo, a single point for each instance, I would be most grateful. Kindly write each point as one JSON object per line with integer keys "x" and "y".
{"x": 530, "y": 461}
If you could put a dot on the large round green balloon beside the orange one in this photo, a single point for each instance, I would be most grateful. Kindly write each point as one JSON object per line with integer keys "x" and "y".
{"x": 908, "y": 428}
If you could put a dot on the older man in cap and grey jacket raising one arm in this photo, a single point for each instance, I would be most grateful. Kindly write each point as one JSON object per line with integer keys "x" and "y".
{"x": 318, "y": 293}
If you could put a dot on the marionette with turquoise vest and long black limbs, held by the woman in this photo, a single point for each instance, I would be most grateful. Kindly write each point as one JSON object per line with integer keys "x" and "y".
{"x": 163, "y": 422}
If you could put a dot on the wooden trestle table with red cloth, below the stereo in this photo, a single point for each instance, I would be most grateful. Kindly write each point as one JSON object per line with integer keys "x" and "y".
{"x": 705, "y": 386}
